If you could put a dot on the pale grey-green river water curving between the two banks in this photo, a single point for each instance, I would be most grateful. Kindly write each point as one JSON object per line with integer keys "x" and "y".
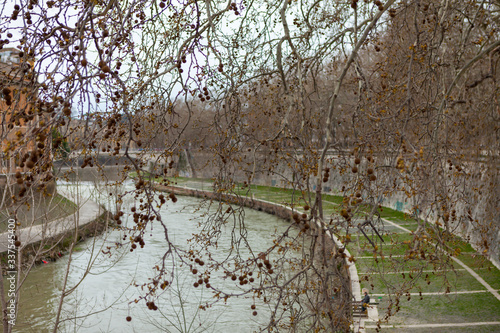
{"x": 104, "y": 298}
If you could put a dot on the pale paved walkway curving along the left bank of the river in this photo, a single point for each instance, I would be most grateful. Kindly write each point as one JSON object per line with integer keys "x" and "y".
{"x": 87, "y": 212}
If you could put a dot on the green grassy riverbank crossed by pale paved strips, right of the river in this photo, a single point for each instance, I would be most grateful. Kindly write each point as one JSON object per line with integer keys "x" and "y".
{"x": 392, "y": 268}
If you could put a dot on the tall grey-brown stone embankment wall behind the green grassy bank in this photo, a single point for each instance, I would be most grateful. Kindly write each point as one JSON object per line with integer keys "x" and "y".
{"x": 474, "y": 198}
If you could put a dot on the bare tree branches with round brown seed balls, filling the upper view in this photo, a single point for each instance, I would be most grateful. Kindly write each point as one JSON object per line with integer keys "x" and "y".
{"x": 381, "y": 99}
